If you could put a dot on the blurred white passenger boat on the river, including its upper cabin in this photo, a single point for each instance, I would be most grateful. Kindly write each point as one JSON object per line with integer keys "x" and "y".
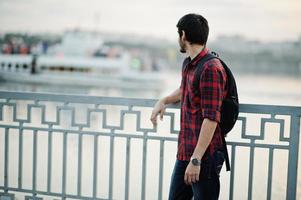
{"x": 69, "y": 63}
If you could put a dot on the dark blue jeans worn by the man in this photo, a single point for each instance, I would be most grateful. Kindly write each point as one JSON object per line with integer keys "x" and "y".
{"x": 208, "y": 186}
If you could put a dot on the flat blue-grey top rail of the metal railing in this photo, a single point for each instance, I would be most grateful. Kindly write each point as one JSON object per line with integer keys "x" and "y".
{"x": 74, "y": 98}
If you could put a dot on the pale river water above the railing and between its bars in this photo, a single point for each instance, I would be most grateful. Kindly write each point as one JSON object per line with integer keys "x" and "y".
{"x": 253, "y": 89}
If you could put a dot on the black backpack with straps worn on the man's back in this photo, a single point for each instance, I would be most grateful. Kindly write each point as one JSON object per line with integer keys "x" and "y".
{"x": 230, "y": 104}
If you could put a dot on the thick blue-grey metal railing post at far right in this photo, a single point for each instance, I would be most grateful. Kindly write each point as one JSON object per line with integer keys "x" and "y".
{"x": 293, "y": 157}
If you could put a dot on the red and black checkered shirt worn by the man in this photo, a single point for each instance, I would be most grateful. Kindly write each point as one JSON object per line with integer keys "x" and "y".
{"x": 194, "y": 109}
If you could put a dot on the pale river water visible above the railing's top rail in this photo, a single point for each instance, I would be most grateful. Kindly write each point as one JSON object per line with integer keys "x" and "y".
{"x": 253, "y": 89}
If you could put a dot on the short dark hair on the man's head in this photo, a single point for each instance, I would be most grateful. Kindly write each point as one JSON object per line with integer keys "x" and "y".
{"x": 196, "y": 28}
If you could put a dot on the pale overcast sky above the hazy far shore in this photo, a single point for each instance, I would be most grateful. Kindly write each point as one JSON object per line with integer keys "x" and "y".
{"x": 264, "y": 20}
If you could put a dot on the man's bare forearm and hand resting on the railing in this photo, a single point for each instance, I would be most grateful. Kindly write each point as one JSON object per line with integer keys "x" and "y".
{"x": 159, "y": 107}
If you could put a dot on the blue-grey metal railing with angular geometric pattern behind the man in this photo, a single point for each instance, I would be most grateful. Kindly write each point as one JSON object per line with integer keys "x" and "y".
{"x": 12, "y": 103}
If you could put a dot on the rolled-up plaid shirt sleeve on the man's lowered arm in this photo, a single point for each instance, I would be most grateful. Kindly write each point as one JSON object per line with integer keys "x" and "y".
{"x": 212, "y": 84}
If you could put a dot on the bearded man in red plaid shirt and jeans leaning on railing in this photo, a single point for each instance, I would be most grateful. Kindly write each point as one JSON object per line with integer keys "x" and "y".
{"x": 200, "y": 149}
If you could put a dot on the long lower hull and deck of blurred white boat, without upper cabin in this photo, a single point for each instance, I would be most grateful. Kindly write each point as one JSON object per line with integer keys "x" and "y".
{"x": 98, "y": 72}
